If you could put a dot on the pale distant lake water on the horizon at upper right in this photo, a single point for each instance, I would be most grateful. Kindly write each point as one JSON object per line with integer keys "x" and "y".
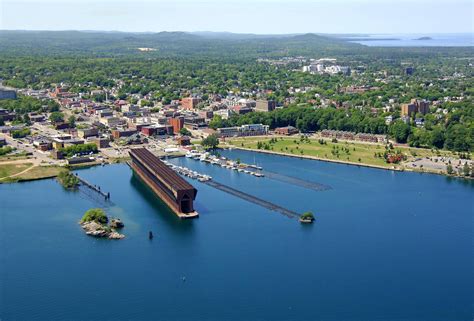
{"x": 410, "y": 40}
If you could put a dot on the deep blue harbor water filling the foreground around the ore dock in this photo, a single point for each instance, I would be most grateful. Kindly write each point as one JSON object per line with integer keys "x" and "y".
{"x": 385, "y": 246}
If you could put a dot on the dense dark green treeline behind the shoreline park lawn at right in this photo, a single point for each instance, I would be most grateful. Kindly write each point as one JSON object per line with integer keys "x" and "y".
{"x": 456, "y": 133}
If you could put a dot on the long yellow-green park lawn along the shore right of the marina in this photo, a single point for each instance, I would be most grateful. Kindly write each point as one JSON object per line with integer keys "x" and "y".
{"x": 354, "y": 152}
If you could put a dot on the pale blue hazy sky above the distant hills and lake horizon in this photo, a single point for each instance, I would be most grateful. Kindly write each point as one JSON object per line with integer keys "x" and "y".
{"x": 242, "y": 16}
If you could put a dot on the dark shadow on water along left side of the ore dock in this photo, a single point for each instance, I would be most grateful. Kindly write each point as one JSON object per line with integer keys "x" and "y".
{"x": 159, "y": 206}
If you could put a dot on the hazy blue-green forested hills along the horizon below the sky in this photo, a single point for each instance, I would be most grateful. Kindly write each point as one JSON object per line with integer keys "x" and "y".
{"x": 205, "y": 44}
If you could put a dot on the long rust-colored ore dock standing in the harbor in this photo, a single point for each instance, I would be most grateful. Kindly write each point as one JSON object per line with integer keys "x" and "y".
{"x": 176, "y": 192}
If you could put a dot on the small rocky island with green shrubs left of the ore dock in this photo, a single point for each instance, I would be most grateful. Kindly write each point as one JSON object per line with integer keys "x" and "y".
{"x": 96, "y": 223}
